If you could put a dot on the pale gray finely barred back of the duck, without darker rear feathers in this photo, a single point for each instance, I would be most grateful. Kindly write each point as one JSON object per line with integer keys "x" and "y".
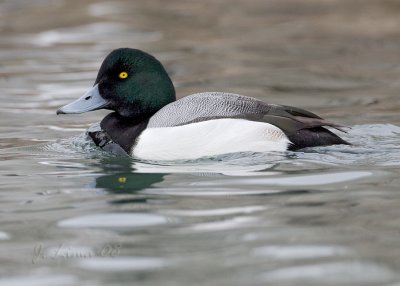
{"x": 208, "y": 105}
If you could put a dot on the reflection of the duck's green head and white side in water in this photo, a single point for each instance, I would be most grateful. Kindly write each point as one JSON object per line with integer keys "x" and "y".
{"x": 124, "y": 174}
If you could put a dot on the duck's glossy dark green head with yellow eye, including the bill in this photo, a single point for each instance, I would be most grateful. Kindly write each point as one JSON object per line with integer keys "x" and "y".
{"x": 130, "y": 82}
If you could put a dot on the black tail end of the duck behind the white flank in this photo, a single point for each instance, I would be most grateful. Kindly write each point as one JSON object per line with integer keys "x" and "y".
{"x": 312, "y": 137}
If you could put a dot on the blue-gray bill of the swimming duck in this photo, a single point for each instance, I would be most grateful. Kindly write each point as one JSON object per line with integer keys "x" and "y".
{"x": 90, "y": 101}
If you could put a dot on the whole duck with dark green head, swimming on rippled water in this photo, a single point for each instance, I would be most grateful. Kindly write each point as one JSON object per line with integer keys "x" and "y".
{"x": 148, "y": 122}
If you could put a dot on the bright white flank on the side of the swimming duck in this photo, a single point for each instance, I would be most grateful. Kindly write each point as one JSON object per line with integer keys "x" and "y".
{"x": 208, "y": 138}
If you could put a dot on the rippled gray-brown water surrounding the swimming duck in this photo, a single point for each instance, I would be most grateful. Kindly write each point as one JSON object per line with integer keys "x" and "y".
{"x": 74, "y": 215}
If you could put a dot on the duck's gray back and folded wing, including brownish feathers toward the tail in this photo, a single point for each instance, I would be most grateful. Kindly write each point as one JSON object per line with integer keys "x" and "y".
{"x": 208, "y": 106}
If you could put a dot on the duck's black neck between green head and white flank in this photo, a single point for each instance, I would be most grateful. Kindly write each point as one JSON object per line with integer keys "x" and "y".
{"x": 122, "y": 130}
